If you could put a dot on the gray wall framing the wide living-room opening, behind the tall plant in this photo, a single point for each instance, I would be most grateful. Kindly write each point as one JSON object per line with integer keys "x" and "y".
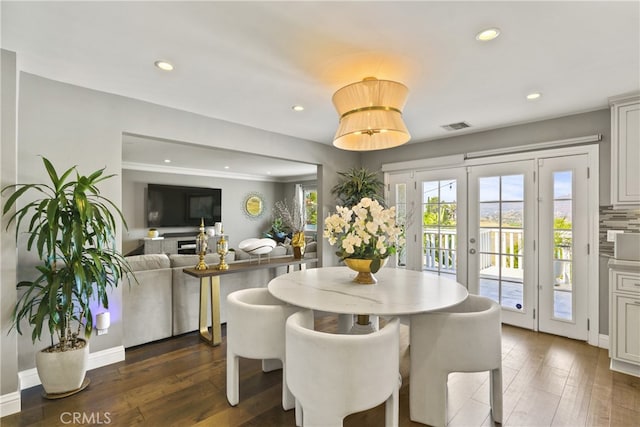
{"x": 72, "y": 125}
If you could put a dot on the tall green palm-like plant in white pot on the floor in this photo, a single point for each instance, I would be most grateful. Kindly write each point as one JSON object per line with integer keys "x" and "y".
{"x": 71, "y": 227}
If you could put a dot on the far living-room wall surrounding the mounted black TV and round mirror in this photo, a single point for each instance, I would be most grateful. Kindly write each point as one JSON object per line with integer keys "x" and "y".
{"x": 236, "y": 224}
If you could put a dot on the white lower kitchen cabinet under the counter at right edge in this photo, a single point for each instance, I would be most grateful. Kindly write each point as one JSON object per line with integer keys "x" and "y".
{"x": 624, "y": 312}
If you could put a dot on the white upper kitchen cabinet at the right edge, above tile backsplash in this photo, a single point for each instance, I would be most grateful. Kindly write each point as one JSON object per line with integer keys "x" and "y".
{"x": 625, "y": 150}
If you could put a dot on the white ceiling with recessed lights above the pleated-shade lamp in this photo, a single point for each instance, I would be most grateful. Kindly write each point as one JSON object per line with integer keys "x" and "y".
{"x": 249, "y": 62}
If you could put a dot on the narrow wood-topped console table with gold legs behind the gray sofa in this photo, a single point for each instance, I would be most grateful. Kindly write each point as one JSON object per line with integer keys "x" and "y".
{"x": 210, "y": 286}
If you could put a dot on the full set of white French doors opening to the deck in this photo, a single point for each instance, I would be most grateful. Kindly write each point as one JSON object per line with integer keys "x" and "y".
{"x": 515, "y": 231}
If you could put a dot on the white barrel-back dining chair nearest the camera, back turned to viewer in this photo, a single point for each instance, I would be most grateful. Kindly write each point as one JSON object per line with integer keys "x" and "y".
{"x": 334, "y": 375}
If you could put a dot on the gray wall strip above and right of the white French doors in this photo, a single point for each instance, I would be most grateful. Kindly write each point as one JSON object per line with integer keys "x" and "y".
{"x": 596, "y": 122}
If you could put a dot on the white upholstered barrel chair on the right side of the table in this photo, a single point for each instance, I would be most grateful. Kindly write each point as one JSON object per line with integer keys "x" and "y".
{"x": 463, "y": 338}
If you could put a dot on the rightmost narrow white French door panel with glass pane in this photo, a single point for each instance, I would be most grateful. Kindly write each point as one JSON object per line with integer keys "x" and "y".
{"x": 564, "y": 246}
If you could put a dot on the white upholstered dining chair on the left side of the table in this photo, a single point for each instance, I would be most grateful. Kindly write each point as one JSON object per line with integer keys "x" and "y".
{"x": 256, "y": 330}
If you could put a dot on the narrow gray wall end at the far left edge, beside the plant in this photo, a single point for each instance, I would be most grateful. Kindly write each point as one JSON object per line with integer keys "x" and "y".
{"x": 8, "y": 295}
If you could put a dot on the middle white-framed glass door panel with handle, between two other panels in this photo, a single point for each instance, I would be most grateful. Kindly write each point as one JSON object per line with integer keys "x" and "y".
{"x": 501, "y": 222}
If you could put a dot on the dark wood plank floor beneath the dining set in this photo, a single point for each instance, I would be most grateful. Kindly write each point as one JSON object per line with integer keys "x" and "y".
{"x": 548, "y": 381}
